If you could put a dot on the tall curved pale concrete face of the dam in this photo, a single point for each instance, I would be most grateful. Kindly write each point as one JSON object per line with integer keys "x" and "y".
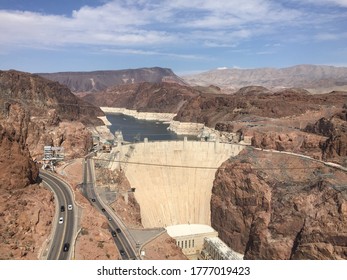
{"x": 174, "y": 179}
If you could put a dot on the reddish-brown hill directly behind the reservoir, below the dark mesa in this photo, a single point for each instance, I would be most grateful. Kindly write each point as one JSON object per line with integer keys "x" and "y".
{"x": 145, "y": 97}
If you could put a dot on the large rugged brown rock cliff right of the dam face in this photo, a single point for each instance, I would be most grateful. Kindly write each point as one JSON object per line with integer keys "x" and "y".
{"x": 277, "y": 206}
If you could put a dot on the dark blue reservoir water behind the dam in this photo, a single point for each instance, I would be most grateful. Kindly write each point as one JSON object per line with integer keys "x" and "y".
{"x": 136, "y": 130}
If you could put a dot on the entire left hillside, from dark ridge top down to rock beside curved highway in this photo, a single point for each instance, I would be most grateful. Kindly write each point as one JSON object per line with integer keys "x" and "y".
{"x": 34, "y": 112}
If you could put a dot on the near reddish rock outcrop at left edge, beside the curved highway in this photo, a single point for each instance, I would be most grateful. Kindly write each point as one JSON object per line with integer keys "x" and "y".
{"x": 26, "y": 209}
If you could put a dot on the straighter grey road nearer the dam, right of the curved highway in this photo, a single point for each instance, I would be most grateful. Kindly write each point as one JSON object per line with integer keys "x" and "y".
{"x": 121, "y": 240}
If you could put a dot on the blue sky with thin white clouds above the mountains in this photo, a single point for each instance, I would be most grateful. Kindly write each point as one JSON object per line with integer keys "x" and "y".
{"x": 188, "y": 36}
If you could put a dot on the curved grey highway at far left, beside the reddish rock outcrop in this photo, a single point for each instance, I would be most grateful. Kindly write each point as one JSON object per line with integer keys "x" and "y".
{"x": 63, "y": 232}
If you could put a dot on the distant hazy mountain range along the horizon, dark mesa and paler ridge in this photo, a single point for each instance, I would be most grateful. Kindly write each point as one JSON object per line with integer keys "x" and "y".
{"x": 314, "y": 78}
